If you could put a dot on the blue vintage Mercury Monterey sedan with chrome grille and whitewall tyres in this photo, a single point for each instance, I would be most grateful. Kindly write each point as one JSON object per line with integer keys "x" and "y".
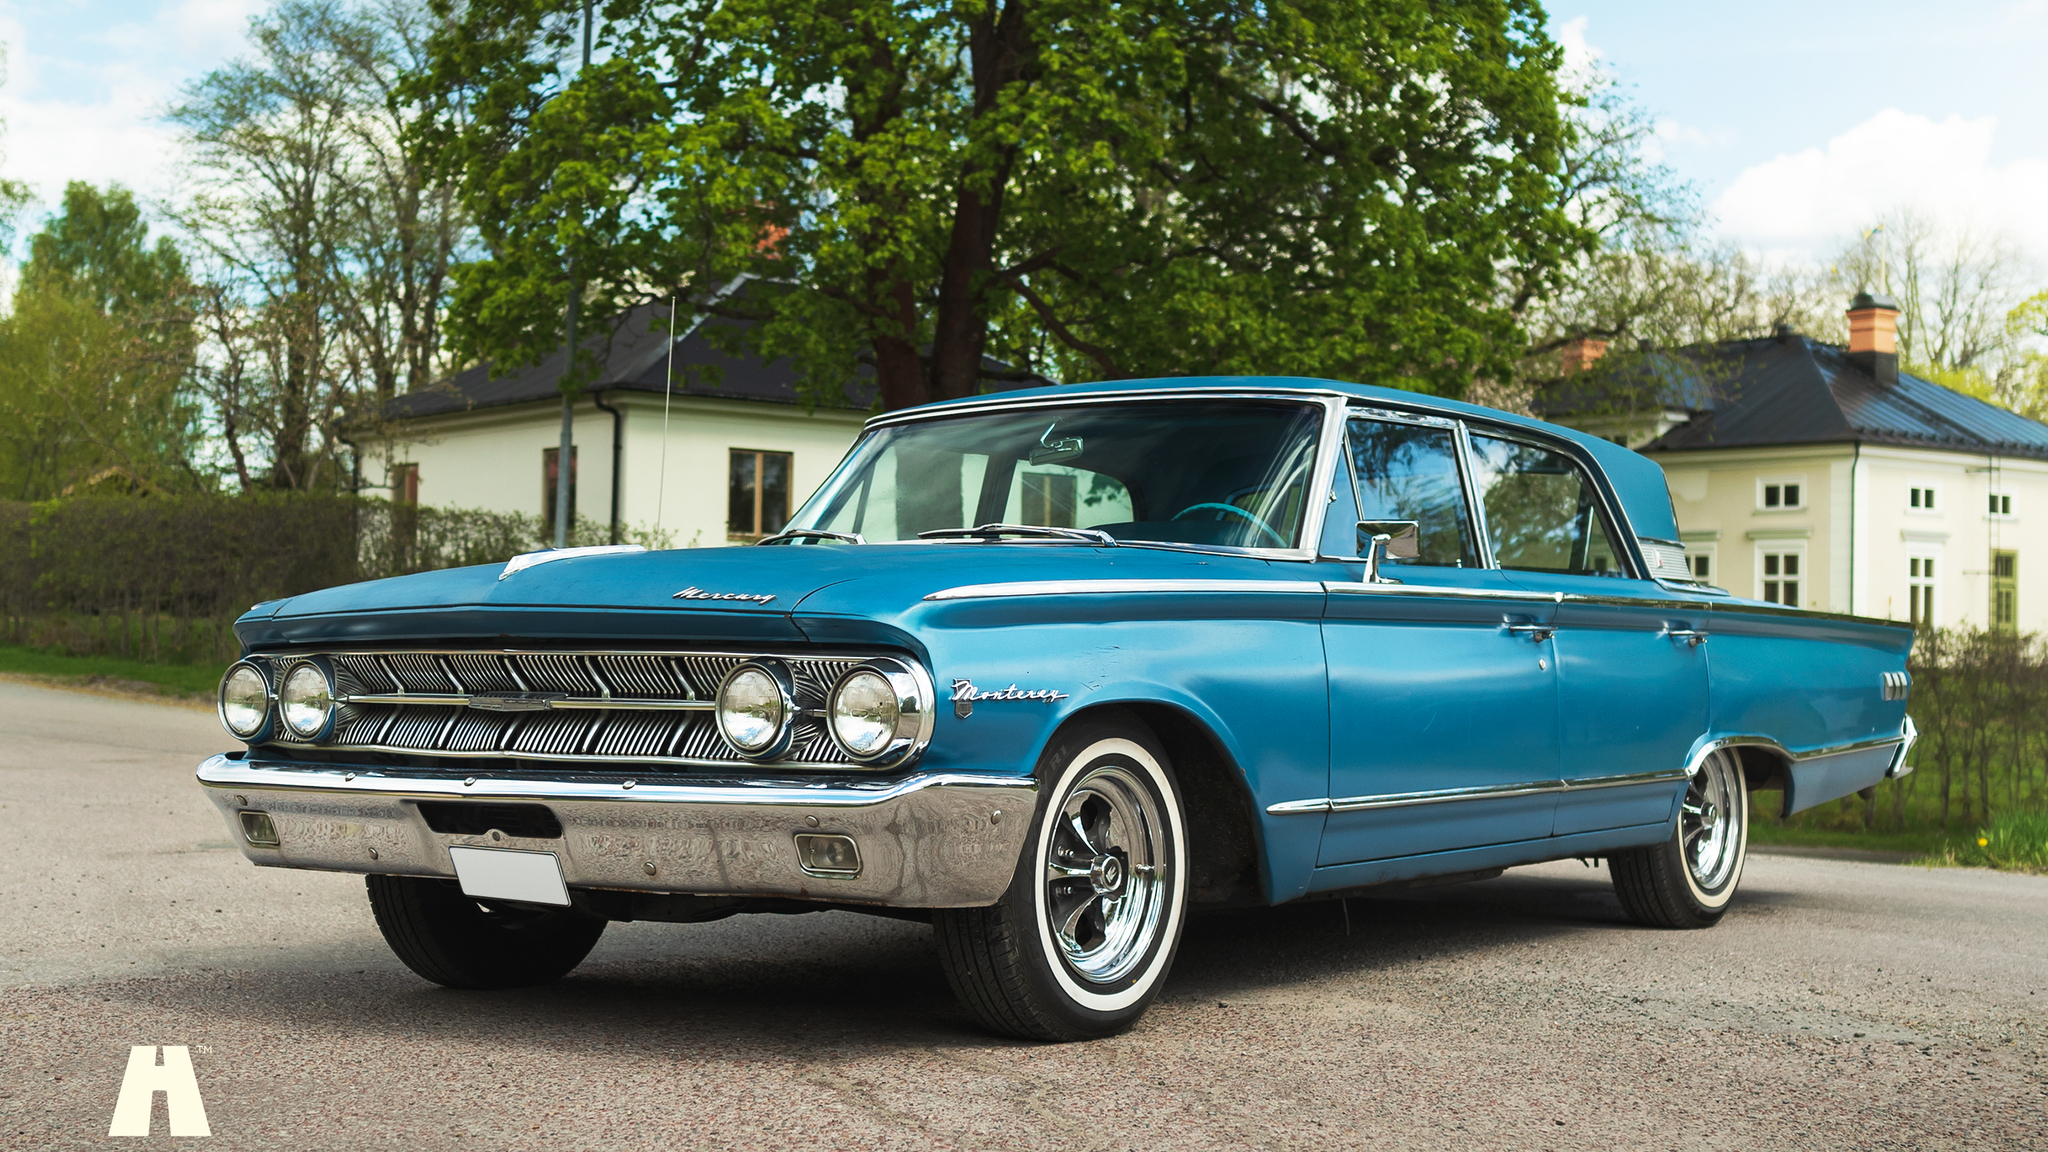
{"x": 1054, "y": 671}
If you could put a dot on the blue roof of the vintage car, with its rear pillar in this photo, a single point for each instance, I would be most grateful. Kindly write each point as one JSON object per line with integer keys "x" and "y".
{"x": 1637, "y": 481}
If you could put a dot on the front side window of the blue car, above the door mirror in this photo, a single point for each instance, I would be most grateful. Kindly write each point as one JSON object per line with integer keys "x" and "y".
{"x": 1410, "y": 472}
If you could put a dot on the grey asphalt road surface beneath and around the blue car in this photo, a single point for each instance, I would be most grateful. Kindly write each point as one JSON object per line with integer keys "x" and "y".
{"x": 1838, "y": 1005}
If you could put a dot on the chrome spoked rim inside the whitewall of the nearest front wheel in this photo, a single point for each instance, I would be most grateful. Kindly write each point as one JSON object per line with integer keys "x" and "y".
{"x": 1105, "y": 874}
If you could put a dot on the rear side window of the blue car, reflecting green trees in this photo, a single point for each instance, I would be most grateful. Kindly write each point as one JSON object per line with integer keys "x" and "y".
{"x": 1541, "y": 511}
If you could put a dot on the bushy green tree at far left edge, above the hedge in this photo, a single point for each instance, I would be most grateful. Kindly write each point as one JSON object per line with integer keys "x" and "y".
{"x": 95, "y": 356}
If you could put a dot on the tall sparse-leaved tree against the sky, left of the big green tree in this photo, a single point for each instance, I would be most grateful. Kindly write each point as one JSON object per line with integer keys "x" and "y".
{"x": 327, "y": 245}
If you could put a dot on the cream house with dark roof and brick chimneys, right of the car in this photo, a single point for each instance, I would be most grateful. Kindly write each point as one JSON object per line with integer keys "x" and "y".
{"x": 1826, "y": 479}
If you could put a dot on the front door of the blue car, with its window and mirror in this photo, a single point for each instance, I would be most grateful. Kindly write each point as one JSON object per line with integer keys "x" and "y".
{"x": 1443, "y": 704}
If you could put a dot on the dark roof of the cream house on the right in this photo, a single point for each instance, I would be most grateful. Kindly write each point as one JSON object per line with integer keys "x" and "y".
{"x": 1791, "y": 390}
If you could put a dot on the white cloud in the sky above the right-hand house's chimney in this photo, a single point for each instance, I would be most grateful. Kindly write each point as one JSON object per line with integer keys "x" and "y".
{"x": 1809, "y": 202}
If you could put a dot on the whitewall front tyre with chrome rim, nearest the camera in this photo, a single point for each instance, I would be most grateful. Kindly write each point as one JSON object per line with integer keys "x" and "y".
{"x": 1084, "y": 938}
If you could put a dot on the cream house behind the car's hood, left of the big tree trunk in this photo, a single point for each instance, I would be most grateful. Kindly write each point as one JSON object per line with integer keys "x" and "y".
{"x": 734, "y": 456}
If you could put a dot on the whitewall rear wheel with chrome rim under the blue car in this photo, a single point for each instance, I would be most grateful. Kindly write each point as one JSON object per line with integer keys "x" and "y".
{"x": 1689, "y": 880}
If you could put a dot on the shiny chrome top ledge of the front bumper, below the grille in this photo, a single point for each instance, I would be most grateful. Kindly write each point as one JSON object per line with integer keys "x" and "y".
{"x": 220, "y": 772}
